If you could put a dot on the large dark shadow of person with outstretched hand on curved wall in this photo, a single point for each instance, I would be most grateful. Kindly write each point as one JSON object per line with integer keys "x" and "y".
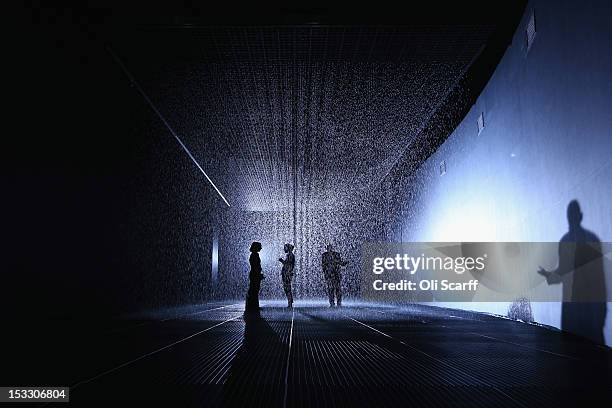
{"x": 583, "y": 310}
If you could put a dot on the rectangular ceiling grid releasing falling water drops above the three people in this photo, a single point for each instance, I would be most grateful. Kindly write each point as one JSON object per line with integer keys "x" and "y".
{"x": 334, "y": 106}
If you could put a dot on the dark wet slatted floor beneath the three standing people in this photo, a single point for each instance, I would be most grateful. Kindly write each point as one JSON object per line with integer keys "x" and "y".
{"x": 360, "y": 354}
